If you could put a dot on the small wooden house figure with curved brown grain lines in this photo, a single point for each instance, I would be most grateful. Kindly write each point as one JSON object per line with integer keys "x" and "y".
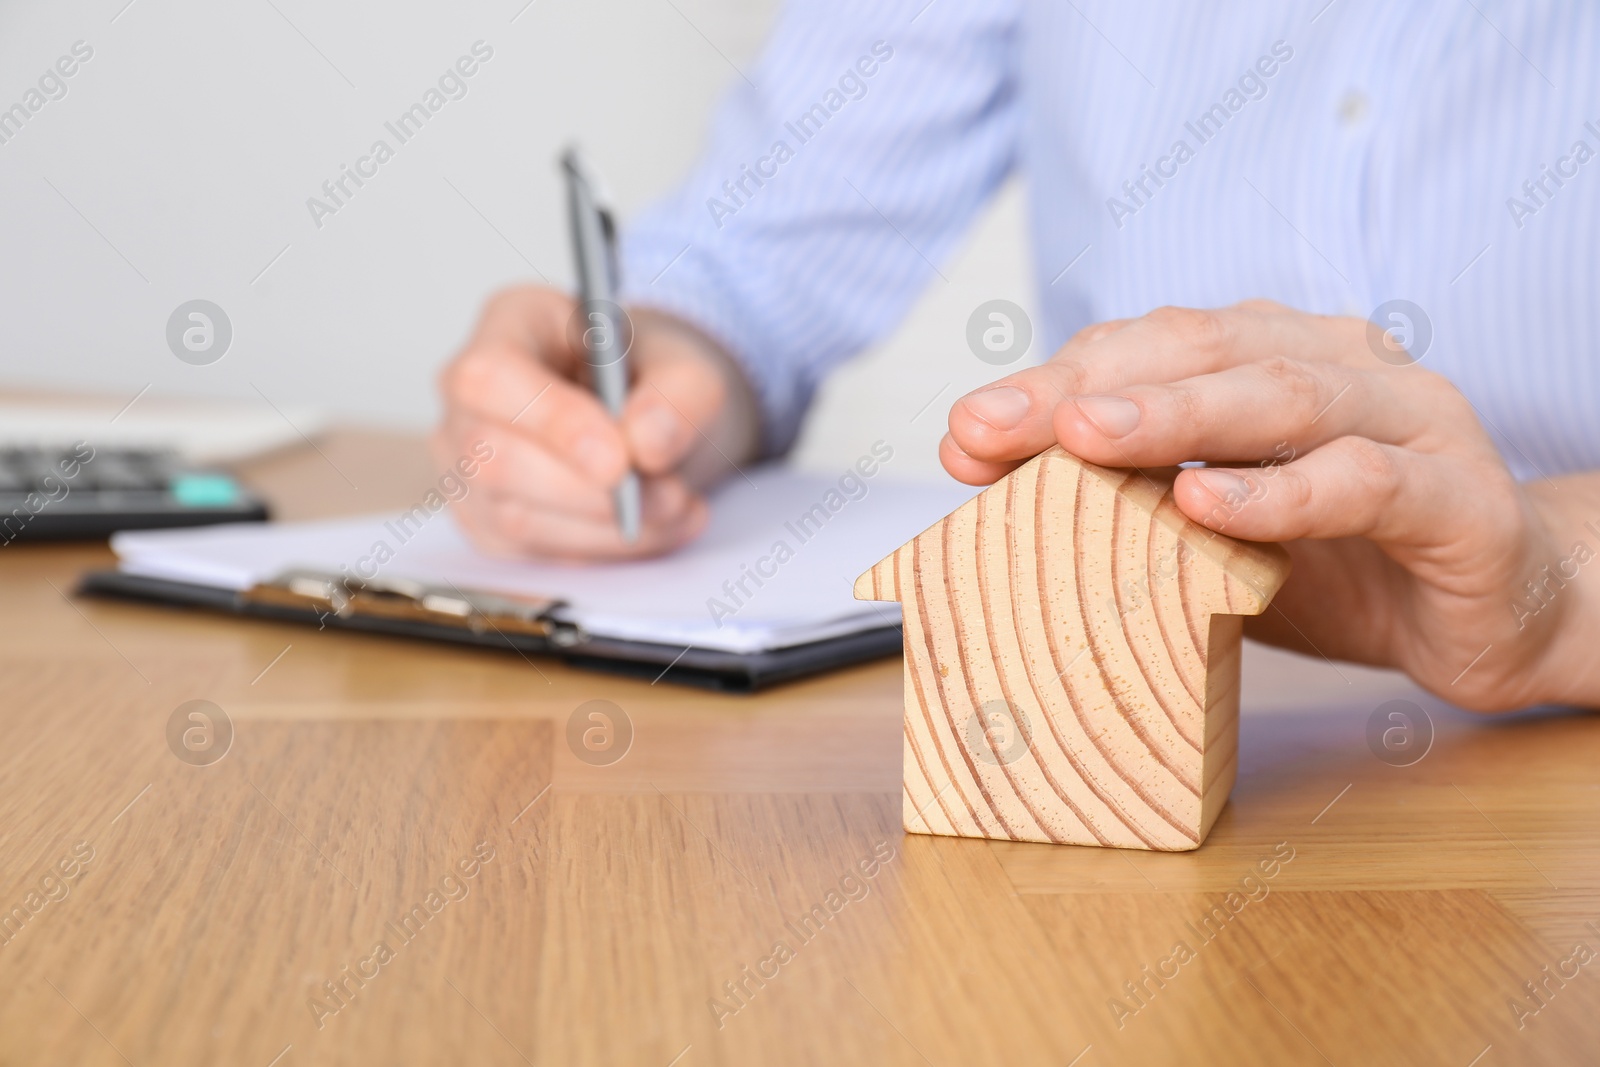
{"x": 1073, "y": 650}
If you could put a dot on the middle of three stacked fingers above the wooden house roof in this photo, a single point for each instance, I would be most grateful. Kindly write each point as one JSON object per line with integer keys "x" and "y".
{"x": 1273, "y": 407}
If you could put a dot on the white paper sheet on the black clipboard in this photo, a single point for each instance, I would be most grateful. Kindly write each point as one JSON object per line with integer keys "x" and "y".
{"x": 775, "y": 567}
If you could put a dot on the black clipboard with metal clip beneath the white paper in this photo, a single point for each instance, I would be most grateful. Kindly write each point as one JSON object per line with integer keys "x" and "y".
{"x": 527, "y": 626}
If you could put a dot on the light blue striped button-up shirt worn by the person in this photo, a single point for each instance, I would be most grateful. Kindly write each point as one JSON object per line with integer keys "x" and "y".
{"x": 1329, "y": 156}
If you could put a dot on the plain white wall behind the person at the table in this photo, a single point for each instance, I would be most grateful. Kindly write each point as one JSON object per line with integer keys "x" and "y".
{"x": 180, "y": 161}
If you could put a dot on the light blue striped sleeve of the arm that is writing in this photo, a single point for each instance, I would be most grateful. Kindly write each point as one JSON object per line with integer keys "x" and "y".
{"x": 839, "y": 175}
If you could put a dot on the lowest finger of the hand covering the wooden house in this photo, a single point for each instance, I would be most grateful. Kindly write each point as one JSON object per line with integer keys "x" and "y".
{"x": 1348, "y": 489}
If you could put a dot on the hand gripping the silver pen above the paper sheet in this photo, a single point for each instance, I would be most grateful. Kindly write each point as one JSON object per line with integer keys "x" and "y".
{"x": 526, "y": 386}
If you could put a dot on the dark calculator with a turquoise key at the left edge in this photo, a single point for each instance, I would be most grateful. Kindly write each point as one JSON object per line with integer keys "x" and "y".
{"x": 81, "y": 494}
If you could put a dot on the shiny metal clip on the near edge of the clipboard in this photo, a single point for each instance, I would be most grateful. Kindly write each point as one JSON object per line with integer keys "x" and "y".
{"x": 417, "y": 602}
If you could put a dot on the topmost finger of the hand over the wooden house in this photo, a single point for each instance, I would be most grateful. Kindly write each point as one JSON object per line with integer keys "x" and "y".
{"x": 1014, "y": 418}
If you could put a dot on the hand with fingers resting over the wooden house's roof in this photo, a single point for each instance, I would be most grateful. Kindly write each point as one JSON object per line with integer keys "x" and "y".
{"x": 1414, "y": 545}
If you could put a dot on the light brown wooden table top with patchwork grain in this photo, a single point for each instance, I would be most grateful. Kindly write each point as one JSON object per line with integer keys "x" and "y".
{"x": 654, "y": 911}
